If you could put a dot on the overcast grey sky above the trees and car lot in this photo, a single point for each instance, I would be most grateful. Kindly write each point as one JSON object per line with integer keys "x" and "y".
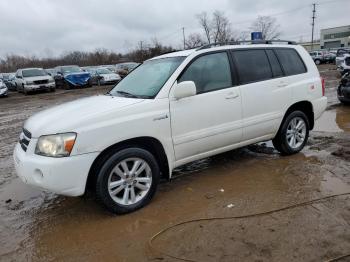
{"x": 48, "y": 28}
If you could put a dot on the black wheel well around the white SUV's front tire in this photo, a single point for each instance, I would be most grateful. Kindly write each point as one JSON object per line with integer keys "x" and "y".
{"x": 148, "y": 143}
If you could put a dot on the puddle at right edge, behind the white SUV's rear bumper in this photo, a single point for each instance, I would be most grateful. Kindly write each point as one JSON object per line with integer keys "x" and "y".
{"x": 336, "y": 120}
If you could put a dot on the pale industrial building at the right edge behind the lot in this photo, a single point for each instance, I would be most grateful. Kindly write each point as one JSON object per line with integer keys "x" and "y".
{"x": 335, "y": 37}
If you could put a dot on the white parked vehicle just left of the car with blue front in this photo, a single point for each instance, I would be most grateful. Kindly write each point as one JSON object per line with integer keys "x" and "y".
{"x": 33, "y": 79}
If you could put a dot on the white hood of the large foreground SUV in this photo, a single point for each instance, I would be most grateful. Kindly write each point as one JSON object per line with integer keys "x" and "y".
{"x": 76, "y": 115}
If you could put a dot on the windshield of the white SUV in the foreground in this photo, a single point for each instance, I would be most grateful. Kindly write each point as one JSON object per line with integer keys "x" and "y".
{"x": 147, "y": 79}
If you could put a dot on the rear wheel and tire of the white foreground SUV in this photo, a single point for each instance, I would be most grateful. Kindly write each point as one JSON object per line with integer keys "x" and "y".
{"x": 293, "y": 134}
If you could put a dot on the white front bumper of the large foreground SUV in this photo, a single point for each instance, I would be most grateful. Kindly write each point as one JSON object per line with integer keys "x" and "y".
{"x": 64, "y": 176}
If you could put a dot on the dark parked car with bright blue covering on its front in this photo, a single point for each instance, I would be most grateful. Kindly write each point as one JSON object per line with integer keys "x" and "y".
{"x": 71, "y": 76}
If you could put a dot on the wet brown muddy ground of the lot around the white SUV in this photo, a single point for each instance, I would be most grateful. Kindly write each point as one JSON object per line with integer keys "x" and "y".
{"x": 41, "y": 226}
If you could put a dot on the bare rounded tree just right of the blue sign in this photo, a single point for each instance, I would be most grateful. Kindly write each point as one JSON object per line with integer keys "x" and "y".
{"x": 268, "y": 26}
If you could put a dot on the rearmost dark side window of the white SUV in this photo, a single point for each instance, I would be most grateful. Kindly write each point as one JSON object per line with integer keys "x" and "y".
{"x": 290, "y": 61}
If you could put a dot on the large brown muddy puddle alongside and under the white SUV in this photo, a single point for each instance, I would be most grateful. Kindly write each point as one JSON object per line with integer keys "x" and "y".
{"x": 78, "y": 227}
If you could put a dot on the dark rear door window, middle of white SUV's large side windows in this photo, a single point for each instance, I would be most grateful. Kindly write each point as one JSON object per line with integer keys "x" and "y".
{"x": 252, "y": 65}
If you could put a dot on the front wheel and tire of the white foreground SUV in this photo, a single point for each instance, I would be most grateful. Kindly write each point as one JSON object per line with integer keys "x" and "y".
{"x": 128, "y": 180}
